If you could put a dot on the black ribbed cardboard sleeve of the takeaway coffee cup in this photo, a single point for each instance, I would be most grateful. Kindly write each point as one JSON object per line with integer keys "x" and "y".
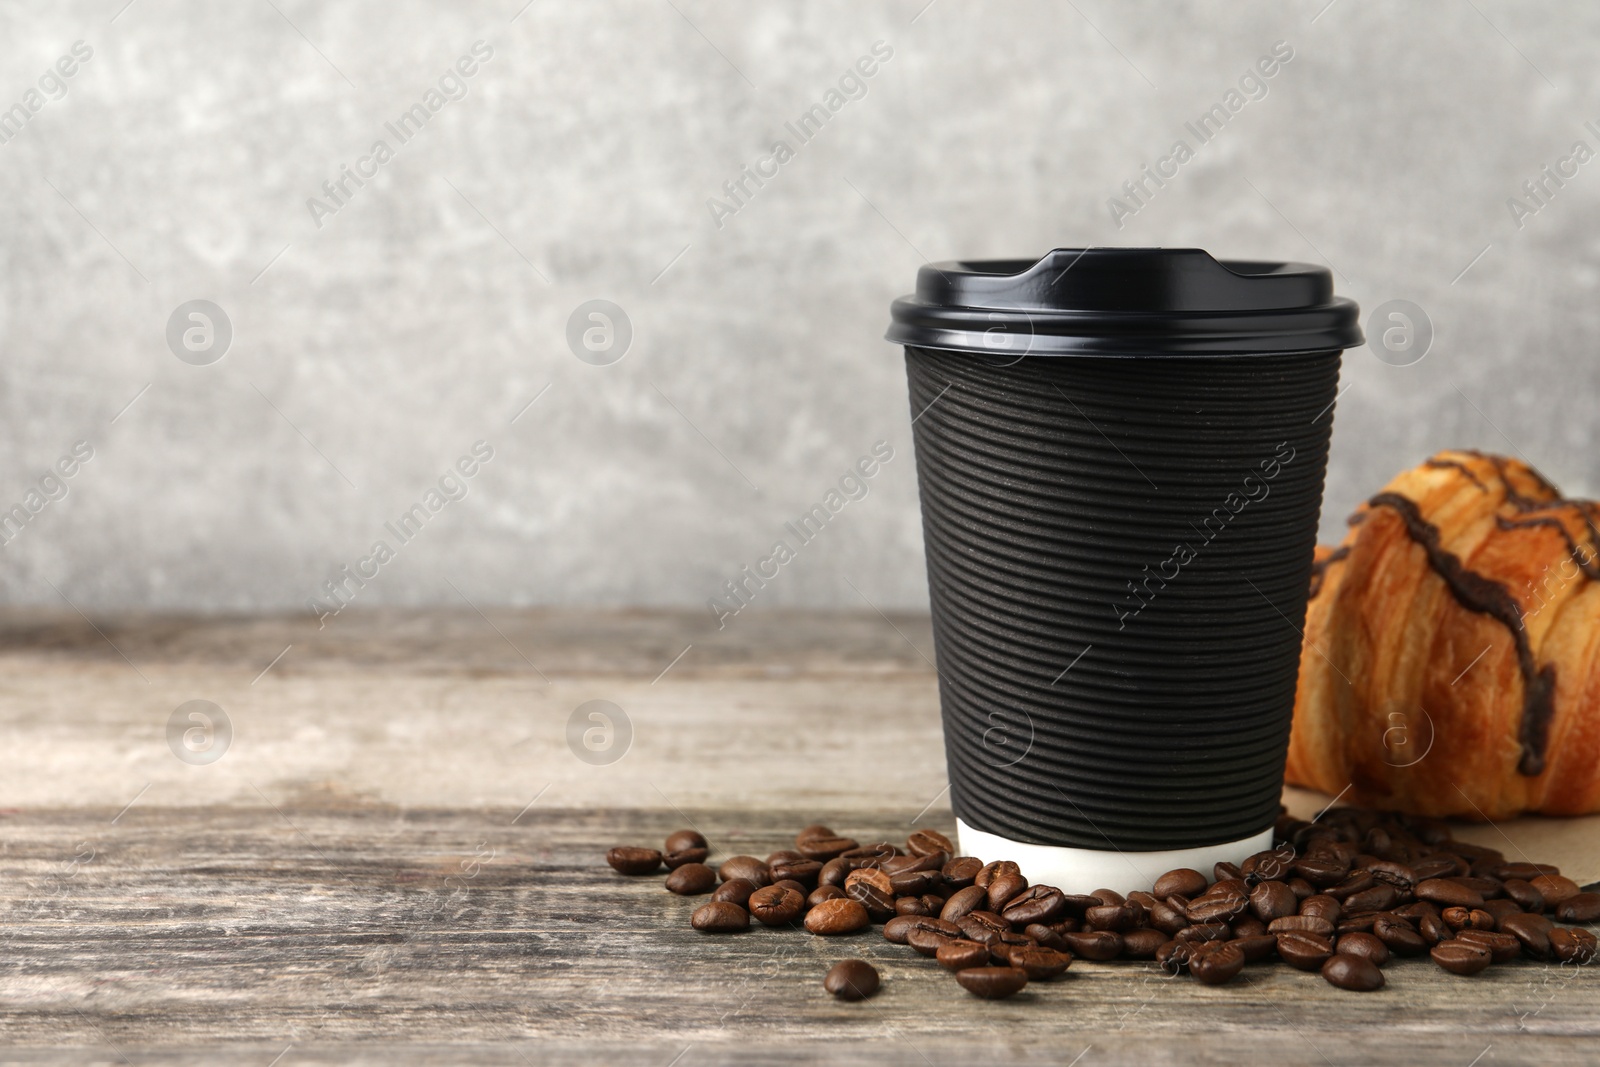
{"x": 1097, "y": 692}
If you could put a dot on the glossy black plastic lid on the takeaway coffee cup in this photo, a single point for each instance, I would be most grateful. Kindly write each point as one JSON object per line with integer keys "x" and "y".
{"x": 1126, "y": 302}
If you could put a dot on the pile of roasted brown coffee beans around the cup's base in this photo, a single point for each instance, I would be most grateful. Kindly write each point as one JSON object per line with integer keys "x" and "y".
{"x": 1340, "y": 897}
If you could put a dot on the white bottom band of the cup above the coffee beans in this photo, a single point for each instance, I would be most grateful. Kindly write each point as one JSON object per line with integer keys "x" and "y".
{"x": 1079, "y": 871}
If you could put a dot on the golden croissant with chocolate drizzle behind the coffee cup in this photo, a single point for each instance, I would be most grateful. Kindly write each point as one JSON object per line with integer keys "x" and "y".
{"x": 1452, "y": 647}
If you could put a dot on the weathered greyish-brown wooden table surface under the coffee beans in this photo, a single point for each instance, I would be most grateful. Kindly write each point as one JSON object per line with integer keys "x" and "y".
{"x": 399, "y": 861}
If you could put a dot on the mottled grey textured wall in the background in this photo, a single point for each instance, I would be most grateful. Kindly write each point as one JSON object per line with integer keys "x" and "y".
{"x": 375, "y": 343}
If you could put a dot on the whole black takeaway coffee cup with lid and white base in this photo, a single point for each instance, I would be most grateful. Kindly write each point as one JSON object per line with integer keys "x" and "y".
{"x": 1121, "y": 457}
